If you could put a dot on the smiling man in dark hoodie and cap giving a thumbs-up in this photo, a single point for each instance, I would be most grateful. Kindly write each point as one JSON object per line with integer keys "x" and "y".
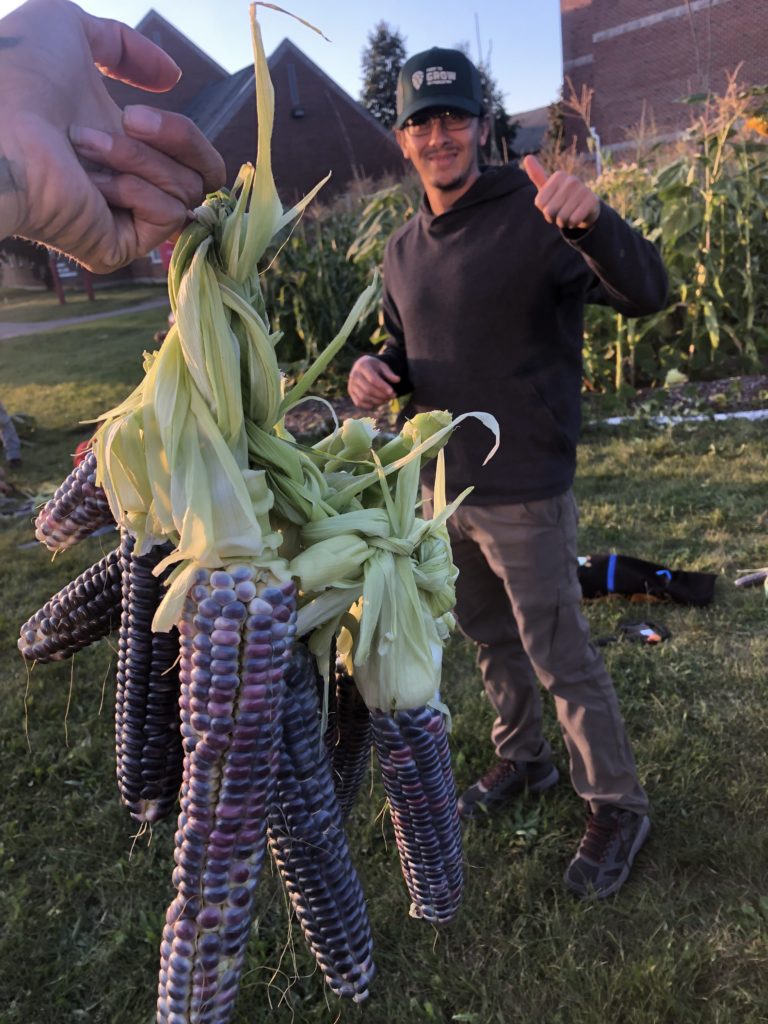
{"x": 484, "y": 303}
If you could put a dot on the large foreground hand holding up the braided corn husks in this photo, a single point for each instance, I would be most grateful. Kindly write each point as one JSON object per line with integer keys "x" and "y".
{"x": 76, "y": 174}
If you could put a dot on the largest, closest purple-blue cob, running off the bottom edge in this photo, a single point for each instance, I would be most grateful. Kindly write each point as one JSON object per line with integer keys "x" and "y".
{"x": 237, "y": 633}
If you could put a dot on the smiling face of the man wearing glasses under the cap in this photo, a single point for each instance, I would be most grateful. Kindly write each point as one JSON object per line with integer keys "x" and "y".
{"x": 445, "y": 158}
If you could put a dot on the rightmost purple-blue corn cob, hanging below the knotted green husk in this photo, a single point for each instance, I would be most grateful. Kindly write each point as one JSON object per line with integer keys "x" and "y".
{"x": 415, "y": 760}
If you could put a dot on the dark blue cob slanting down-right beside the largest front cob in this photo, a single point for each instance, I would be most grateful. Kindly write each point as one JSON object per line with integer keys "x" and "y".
{"x": 308, "y": 841}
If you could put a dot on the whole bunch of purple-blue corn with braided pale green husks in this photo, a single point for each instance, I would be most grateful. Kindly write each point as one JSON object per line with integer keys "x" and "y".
{"x": 245, "y": 562}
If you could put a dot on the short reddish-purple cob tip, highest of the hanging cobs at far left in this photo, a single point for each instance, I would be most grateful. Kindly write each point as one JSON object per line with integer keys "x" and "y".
{"x": 77, "y": 509}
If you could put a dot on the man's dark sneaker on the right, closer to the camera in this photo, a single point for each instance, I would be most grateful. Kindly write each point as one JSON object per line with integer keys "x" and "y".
{"x": 606, "y": 855}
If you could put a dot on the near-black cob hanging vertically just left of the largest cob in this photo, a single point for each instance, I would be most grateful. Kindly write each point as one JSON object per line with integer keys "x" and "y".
{"x": 148, "y": 741}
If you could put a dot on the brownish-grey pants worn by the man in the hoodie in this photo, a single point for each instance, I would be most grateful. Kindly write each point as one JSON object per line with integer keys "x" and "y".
{"x": 519, "y": 599}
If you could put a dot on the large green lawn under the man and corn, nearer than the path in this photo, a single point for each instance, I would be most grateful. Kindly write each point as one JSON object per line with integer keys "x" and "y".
{"x": 83, "y": 899}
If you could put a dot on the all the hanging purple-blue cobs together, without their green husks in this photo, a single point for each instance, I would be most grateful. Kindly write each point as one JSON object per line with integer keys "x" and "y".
{"x": 224, "y": 715}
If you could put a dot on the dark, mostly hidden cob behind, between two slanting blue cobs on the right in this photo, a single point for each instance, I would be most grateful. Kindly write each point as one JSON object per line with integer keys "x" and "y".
{"x": 349, "y": 740}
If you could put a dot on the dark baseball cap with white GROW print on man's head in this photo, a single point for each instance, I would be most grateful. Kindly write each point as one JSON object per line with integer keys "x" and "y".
{"x": 439, "y": 78}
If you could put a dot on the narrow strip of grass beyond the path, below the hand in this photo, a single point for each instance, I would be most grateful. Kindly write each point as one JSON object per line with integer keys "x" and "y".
{"x": 23, "y": 307}
